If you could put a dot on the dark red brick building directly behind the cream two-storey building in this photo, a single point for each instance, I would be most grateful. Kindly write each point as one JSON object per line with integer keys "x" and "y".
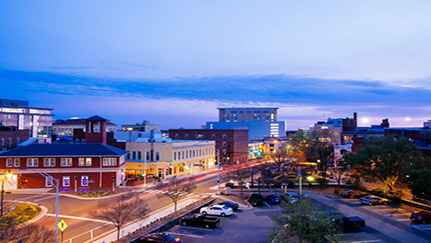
{"x": 232, "y": 143}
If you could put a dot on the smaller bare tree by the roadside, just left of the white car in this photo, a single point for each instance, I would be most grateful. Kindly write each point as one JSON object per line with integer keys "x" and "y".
{"x": 175, "y": 189}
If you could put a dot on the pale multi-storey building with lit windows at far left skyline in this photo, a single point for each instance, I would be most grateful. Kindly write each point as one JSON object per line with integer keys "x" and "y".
{"x": 18, "y": 114}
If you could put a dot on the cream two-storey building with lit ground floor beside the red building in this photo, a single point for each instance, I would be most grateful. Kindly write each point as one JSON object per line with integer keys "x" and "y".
{"x": 165, "y": 158}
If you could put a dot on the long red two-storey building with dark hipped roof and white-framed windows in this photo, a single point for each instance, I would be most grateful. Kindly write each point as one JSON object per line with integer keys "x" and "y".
{"x": 76, "y": 166}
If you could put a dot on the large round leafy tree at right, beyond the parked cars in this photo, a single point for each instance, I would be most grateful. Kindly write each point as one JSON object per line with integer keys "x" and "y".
{"x": 382, "y": 160}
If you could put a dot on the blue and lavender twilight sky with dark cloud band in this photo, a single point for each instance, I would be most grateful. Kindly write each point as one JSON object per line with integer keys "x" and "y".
{"x": 175, "y": 62}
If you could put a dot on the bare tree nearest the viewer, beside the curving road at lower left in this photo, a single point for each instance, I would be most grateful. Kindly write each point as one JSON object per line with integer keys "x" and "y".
{"x": 122, "y": 210}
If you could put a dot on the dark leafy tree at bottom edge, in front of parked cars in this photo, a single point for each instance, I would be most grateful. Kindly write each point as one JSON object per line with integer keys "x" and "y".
{"x": 303, "y": 220}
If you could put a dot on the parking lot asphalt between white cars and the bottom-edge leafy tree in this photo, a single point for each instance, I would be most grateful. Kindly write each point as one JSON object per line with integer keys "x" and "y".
{"x": 245, "y": 225}
